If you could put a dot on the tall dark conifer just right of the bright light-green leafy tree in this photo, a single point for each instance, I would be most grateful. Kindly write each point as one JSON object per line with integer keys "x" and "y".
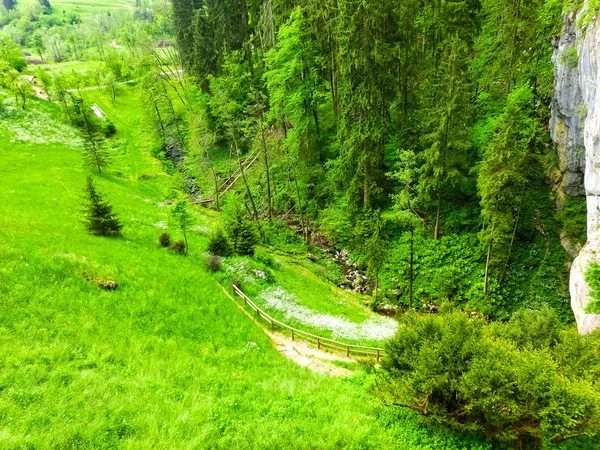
{"x": 366, "y": 34}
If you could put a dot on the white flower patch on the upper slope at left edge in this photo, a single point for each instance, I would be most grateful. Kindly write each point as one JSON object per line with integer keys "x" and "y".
{"x": 39, "y": 127}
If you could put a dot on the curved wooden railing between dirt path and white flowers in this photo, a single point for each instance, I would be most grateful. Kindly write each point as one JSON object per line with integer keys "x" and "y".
{"x": 320, "y": 341}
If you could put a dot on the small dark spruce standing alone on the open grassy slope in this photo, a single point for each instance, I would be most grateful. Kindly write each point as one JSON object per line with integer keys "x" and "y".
{"x": 99, "y": 217}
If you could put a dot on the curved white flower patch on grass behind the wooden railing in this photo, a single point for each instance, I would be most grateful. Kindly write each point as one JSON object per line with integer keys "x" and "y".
{"x": 375, "y": 328}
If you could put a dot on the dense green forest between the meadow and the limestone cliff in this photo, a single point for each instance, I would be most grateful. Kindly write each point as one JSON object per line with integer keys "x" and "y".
{"x": 334, "y": 98}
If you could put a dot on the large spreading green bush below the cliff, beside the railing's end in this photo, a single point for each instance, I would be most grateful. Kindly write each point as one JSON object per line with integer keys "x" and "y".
{"x": 512, "y": 385}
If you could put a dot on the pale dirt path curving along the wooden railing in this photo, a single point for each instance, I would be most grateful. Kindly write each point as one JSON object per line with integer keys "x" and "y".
{"x": 301, "y": 352}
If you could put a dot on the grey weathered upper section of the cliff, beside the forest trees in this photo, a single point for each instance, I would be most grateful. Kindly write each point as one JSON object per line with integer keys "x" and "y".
{"x": 568, "y": 111}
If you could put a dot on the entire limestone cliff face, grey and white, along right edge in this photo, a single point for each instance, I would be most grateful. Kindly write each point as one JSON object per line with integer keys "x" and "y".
{"x": 576, "y": 119}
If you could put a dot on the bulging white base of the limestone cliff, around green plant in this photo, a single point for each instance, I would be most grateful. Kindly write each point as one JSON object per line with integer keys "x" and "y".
{"x": 586, "y": 323}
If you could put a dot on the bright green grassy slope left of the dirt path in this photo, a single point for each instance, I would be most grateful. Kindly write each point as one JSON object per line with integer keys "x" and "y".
{"x": 166, "y": 361}
